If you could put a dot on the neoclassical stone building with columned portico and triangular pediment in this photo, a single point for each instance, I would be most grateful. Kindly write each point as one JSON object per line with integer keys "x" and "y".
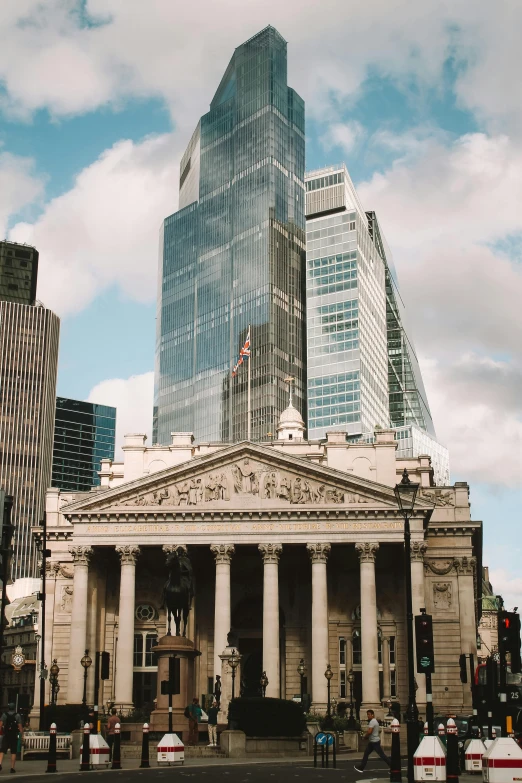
{"x": 297, "y": 545}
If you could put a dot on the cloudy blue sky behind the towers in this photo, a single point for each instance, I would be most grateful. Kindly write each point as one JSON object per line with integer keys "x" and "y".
{"x": 421, "y": 100}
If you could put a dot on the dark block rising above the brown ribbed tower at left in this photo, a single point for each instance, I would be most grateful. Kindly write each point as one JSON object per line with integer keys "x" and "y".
{"x": 18, "y": 273}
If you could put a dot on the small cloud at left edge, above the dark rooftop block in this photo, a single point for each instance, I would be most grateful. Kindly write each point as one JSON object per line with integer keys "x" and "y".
{"x": 20, "y": 186}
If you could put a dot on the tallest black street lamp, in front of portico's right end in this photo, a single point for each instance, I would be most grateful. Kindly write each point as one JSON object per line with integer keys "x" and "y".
{"x": 406, "y": 492}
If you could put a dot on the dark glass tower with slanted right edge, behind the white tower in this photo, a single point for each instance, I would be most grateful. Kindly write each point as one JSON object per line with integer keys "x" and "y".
{"x": 408, "y": 400}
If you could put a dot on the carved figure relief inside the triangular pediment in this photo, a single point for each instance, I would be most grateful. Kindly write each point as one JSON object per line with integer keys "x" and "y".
{"x": 245, "y": 478}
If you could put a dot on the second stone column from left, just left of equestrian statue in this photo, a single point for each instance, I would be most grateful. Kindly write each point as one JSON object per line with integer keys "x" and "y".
{"x": 125, "y": 649}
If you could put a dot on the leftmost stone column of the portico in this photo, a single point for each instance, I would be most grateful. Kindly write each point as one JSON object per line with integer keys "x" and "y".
{"x": 78, "y": 640}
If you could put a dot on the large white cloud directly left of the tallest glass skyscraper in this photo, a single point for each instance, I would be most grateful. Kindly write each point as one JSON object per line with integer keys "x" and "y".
{"x": 105, "y": 230}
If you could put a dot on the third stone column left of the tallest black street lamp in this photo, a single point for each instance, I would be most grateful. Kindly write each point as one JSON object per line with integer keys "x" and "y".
{"x": 270, "y": 554}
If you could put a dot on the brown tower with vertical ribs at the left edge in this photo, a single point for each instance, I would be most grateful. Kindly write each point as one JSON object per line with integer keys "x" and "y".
{"x": 29, "y": 337}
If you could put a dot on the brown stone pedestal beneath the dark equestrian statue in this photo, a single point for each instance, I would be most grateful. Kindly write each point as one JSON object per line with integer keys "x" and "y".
{"x": 182, "y": 648}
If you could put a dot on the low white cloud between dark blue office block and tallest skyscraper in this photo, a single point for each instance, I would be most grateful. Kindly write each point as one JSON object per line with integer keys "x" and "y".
{"x": 133, "y": 399}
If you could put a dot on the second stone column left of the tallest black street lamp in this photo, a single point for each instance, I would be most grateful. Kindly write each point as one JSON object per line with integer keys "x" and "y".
{"x": 320, "y": 653}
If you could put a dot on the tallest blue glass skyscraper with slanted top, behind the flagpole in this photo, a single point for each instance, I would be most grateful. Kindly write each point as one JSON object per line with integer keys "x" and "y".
{"x": 233, "y": 257}
